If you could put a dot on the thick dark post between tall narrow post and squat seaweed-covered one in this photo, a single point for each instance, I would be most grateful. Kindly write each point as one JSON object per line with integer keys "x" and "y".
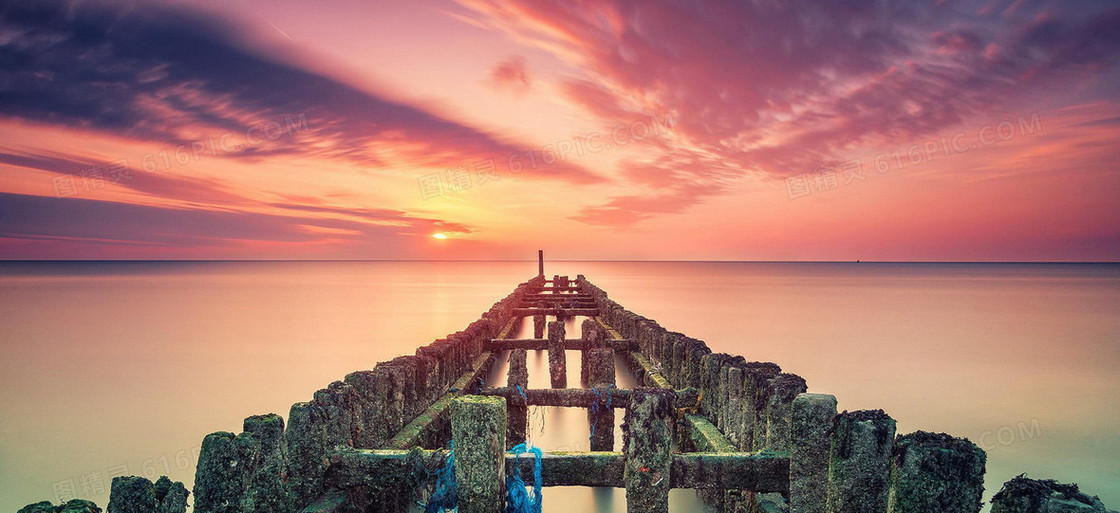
{"x": 860, "y": 462}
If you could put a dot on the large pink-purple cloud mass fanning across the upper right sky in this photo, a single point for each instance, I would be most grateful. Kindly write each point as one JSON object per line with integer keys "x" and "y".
{"x": 782, "y": 88}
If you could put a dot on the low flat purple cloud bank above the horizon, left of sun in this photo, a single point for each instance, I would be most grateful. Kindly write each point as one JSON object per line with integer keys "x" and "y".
{"x": 197, "y": 231}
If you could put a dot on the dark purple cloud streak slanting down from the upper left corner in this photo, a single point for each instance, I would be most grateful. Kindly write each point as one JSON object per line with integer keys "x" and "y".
{"x": 172, "y": 74}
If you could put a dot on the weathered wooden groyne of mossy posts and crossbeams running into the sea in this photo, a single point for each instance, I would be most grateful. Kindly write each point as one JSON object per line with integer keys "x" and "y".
{"x": 744, "y": 435}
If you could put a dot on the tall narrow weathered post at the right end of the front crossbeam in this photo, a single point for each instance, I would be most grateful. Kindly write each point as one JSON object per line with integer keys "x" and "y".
{"x": 809, "y": 452}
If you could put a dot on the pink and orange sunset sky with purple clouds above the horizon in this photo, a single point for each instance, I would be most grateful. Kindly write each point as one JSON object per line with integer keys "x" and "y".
{"x": 488, "y": 129}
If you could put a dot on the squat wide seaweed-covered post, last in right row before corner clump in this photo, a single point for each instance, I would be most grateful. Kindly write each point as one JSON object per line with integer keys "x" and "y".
{"x": 936, "y": 472}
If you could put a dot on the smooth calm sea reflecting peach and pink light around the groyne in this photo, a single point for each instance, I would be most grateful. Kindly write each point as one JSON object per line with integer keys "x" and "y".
{"x": 123, "y": 368}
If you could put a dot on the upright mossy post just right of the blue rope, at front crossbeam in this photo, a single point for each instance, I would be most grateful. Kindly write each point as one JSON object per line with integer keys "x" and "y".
{"x": 647, "y": 446}
